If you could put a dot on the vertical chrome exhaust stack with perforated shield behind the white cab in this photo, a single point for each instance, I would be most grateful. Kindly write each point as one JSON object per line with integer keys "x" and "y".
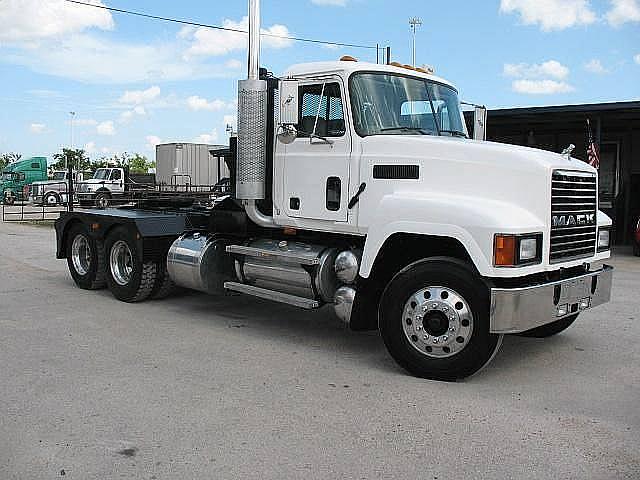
{"x": 252, "y": 121}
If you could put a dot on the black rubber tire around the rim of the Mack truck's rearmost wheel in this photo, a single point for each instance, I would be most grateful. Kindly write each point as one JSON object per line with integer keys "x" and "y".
{"x": 93, "y": 277}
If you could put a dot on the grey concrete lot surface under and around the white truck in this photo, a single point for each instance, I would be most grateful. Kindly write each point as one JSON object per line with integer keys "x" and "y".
{"x": 198, "y": 387}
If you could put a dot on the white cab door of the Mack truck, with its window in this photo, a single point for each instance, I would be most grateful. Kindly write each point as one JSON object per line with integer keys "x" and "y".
{"x": 316, "y": 163}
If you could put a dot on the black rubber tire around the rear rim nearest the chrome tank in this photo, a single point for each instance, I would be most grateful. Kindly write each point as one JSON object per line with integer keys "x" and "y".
{"x": 142, "y": 279}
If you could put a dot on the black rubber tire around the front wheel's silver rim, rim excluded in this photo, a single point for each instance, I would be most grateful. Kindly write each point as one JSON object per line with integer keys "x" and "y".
{"x": 451, "y": 274}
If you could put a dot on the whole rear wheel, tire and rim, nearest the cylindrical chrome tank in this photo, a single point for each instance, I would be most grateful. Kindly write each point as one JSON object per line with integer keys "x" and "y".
{"x": 129, "y": 278}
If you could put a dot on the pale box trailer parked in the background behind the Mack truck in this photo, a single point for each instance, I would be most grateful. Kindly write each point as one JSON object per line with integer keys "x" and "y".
{"x": 189, "y": 163}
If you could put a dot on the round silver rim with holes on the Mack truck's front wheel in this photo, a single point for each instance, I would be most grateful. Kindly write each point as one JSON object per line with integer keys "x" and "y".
{"x": 437, "y": 321}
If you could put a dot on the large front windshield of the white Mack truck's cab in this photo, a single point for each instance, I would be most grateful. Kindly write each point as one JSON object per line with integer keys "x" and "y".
{"x": 388, "y": 104}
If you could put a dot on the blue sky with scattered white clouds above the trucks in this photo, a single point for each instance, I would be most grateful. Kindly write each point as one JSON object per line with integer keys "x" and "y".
{"x": 134, "y": 82}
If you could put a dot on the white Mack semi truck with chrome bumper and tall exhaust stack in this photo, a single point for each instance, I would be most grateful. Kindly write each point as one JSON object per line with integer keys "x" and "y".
{"x": 356, "y": 185}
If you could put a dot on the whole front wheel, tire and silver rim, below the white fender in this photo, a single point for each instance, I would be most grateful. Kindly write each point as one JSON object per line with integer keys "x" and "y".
{"x": 435, "y": 320}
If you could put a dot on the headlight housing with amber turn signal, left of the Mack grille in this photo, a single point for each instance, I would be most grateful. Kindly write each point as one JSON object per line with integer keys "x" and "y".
{"x": 517, "y": 250}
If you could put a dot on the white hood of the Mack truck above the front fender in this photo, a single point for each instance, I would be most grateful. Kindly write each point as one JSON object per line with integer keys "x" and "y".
{"x": 462, "y": 171}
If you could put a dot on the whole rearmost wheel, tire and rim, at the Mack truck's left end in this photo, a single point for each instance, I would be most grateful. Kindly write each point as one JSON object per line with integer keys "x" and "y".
{"x": 85, "y": 258}
